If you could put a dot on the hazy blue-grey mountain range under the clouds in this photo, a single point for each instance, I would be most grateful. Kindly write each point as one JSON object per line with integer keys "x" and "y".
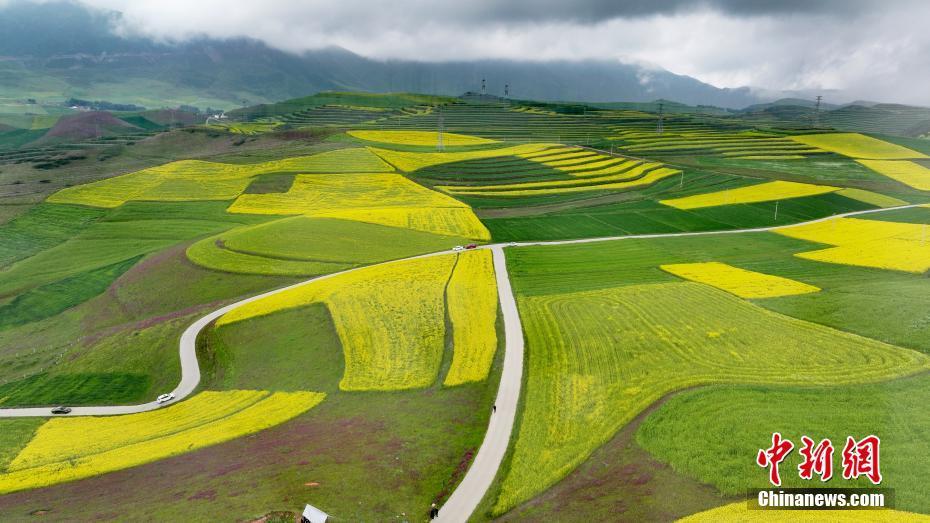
{"x": 60, "y": 50}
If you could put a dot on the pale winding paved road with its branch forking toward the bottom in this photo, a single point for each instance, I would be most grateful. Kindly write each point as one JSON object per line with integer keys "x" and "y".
{"x": 481, "y": 473}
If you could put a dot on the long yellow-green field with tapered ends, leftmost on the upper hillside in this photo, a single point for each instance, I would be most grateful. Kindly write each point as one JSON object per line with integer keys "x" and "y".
{"x": 194, "y": 180}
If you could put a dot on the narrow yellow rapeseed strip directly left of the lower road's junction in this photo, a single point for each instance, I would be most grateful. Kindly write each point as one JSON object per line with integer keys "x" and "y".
{"x": 472, "y": 305}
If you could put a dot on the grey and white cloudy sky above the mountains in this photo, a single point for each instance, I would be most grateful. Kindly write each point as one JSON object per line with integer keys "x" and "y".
{"x": 878, "y": 50}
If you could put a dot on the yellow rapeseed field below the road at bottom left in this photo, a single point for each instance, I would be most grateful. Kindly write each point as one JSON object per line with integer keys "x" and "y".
{"x": 66, "y": 449}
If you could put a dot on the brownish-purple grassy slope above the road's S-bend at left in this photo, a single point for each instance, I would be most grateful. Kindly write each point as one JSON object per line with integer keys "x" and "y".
{"x": 132, "y": 328}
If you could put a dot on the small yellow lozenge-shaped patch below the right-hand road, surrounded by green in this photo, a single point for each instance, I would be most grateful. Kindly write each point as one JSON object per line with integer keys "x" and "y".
{"x": 741, "y": 282}
